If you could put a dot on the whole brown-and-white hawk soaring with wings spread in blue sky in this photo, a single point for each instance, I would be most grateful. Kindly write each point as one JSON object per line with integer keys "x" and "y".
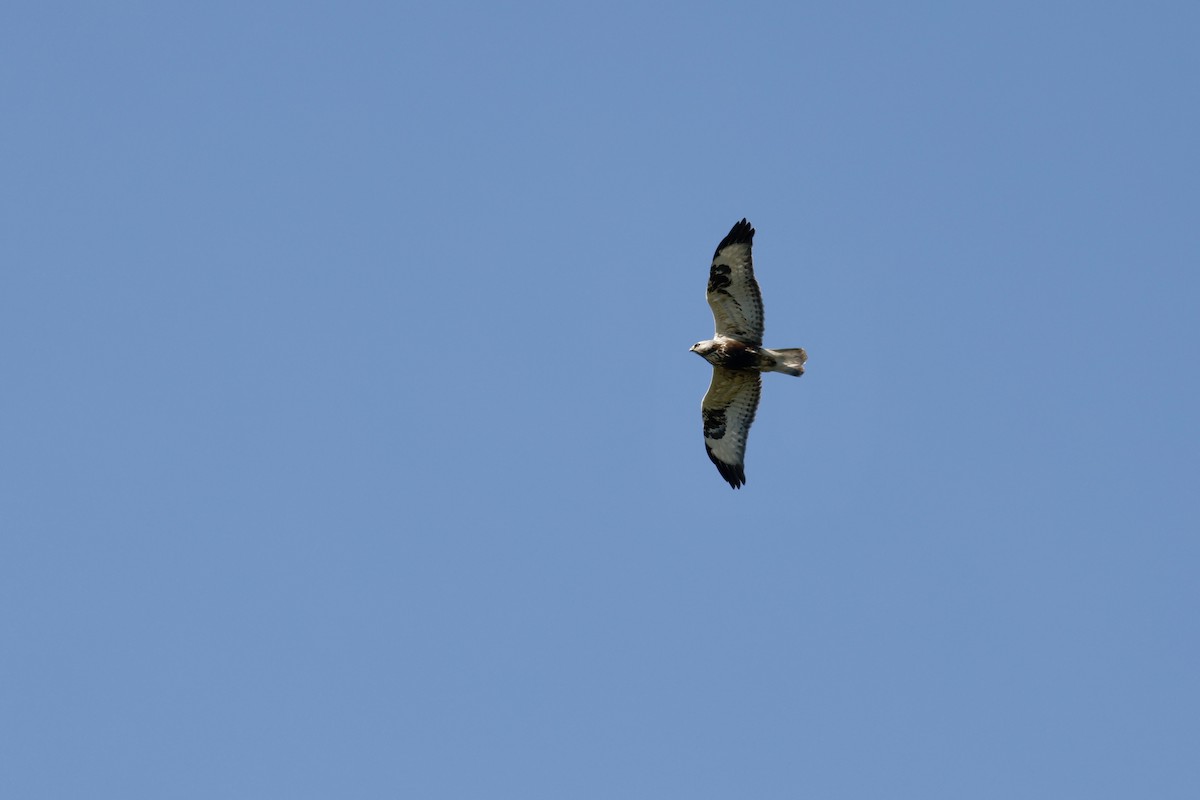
{"x": 737, "y": 354}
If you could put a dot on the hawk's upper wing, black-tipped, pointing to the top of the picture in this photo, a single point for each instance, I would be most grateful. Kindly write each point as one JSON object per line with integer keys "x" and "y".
{"x": 733, "y": 292}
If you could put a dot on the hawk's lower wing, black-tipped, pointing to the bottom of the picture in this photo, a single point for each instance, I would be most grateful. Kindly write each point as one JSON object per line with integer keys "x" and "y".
{"x": 729, "y": 411}
